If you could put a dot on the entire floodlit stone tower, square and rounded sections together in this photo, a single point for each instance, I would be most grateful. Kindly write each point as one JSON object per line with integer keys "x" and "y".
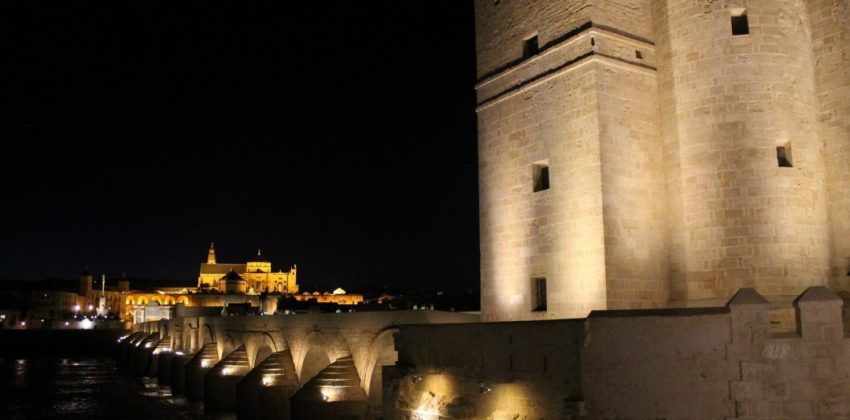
{"x": 653, "y": 153}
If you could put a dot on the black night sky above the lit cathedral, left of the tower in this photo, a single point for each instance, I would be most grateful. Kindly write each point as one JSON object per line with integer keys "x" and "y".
{"x": 337, "y": 136}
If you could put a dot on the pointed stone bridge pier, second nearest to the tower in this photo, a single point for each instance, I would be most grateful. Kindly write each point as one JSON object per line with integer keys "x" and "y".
{"x": 264, "y": 393}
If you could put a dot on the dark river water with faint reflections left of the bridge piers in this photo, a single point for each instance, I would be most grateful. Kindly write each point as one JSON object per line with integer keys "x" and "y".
{"x": 84, "y": 388}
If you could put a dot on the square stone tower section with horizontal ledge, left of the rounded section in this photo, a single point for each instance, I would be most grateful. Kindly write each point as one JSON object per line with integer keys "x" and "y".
{"x": 584, "y": 107}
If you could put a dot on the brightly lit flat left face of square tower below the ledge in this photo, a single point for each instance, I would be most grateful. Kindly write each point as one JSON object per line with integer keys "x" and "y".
{"x": 555, "y": 233}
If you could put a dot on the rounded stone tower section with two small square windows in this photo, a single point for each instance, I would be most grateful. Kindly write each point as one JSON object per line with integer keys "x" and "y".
{"x": 737, "y": 218}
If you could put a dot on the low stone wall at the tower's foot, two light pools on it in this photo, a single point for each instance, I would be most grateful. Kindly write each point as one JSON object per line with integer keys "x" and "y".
{"x": 712, "y": 363}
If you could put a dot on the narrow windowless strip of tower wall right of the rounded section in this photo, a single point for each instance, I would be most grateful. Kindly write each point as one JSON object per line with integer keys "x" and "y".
{"x": 831, "y": 44}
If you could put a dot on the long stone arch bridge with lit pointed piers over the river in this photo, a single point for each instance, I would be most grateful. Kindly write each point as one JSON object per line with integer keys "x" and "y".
{"x": 280, "y": 366}
